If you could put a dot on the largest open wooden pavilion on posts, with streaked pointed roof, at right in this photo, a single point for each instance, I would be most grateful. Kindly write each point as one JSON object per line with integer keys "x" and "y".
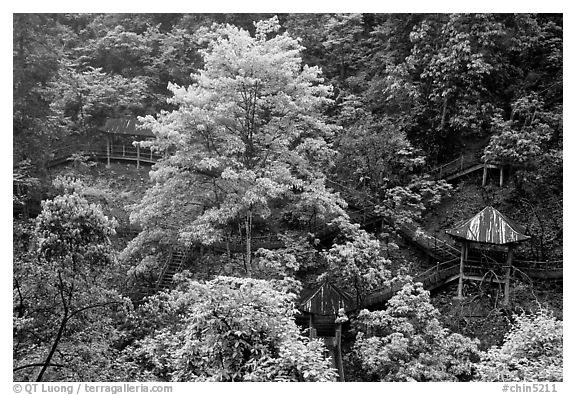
{"x": 490, "y": 237}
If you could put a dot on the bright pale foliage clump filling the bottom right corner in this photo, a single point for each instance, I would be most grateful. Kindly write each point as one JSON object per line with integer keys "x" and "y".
{"x": 532, "y": 351}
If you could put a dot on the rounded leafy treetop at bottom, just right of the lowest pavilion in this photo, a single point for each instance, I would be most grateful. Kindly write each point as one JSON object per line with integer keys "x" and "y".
{"x": 406, "y": 342}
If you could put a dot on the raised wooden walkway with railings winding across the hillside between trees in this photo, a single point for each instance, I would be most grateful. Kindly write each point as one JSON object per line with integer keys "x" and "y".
{"x": 361, "y": 210}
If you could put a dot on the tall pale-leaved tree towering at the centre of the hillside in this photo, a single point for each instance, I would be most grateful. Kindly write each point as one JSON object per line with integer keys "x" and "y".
{"x": 246, "y": 135}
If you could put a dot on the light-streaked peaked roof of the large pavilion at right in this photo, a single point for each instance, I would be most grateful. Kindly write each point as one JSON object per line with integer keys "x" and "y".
{"x": 489, "y": 226}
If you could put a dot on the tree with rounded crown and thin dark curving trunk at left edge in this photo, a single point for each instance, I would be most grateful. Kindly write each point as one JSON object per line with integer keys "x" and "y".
{"x": 60, "y": 292}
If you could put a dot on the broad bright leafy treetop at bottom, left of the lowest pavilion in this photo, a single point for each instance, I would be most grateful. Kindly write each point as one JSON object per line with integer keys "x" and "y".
{"x": 228, "y": 329}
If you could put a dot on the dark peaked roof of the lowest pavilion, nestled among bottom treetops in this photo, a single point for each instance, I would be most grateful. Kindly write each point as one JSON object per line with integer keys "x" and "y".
{"x": 325, "y": 299}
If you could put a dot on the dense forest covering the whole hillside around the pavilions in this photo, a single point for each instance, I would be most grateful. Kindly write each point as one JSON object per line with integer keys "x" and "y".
{"x": 296, "y": 163}
